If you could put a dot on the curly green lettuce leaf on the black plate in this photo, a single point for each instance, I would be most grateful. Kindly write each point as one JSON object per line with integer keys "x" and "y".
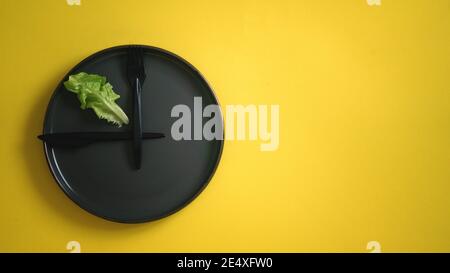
{"x": 93, "y": 91}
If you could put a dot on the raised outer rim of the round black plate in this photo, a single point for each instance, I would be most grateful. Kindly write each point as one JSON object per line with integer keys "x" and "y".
{"x": 57, "y": 174}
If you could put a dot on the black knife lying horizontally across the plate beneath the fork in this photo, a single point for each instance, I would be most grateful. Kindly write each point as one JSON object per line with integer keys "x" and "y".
{"x": 77, "y": 139}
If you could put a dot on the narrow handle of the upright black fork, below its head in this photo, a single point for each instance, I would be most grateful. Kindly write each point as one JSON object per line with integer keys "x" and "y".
{"x": 137, "y": 124}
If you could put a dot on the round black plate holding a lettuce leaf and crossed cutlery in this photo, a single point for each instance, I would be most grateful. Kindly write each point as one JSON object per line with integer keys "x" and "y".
{"x": 101, "y": 177}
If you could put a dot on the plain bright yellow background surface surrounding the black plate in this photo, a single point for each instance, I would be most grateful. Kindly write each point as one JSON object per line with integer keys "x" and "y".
{"x": 364, "y": 95}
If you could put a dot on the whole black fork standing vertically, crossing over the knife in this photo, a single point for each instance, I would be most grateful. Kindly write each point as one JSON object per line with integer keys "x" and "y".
{"x": 136, "y": 77}
